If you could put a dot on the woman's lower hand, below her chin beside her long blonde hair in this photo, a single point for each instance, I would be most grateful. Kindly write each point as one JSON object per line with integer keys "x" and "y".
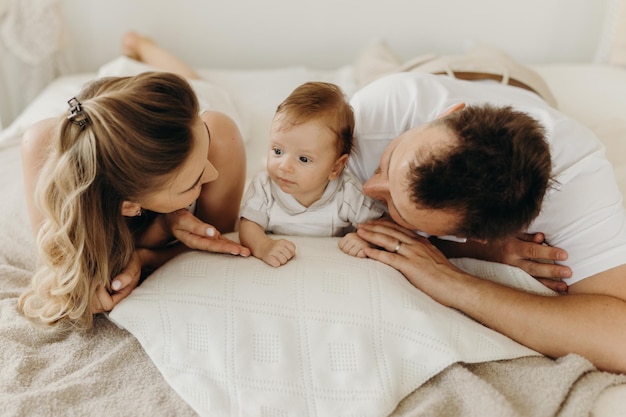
{"x": 121, "y": 285}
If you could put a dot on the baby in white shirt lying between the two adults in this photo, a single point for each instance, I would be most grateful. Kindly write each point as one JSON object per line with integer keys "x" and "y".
{"x": 305, "y": 190}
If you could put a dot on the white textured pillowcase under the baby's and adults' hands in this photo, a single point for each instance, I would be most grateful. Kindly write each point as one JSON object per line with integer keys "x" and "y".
{"x": 326, "y": 334}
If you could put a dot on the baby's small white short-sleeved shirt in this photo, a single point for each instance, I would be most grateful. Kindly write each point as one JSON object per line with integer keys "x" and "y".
{"x": 341, "y": 207}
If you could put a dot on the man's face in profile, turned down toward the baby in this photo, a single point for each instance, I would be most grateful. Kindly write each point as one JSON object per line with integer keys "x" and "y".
{"x": 390, "y": 182}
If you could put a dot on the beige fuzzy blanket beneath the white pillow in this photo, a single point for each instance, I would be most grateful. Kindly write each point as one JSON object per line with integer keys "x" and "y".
{"x": 105, "y": 371}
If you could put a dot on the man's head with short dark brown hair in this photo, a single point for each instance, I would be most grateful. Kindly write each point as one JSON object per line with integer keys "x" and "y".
{"x": 478, "y": 172}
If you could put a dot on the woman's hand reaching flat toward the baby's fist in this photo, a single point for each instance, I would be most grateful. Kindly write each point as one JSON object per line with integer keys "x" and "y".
{"x": 195, "y": 234}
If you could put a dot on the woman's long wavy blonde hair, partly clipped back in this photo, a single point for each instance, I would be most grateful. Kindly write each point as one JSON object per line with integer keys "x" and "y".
{"x": 138, "y": 132}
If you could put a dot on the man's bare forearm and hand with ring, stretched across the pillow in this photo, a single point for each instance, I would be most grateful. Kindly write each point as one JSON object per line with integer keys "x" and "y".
{"x": 589, "y": 321}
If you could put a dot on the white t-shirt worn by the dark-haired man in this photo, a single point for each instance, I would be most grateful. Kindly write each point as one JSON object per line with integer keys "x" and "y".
{"x": 582, "y": 214}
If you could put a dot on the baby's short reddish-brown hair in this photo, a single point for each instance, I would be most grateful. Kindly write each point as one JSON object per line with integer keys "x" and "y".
{"x": 321, "y": 101}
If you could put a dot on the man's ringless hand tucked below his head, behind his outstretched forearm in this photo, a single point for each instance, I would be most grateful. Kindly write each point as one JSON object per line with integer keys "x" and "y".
{"x": 530, "y": 253}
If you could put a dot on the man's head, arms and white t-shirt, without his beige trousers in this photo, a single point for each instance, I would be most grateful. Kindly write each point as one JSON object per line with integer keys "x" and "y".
{"x": 411, "y": 158}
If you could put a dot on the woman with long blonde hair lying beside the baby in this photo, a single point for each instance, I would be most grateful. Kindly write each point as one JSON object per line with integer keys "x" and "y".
{"x": 111, "y": 184}
